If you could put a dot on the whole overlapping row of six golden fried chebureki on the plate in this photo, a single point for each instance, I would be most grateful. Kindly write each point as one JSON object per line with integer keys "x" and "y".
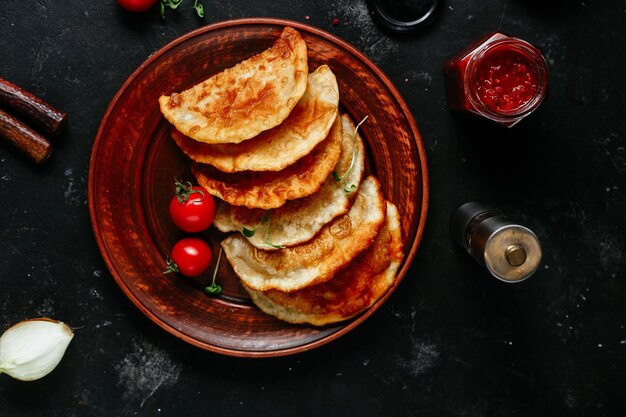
{"x": 311, "y": 236}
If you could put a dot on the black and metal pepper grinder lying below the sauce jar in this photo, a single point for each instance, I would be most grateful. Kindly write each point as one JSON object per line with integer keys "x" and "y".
{"x": 511, "y": 252}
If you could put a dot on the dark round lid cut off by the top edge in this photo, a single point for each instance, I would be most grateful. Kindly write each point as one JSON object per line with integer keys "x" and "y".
{"x": 403, "y": 15}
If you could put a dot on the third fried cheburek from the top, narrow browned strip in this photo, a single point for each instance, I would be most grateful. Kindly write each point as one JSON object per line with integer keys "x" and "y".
{"x": 269, "y": 189}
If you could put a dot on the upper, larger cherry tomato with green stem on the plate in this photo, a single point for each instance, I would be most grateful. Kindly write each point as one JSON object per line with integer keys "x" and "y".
{"x": 192, "y": 209}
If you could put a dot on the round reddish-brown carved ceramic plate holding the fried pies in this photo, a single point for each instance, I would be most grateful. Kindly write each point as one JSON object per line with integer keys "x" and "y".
{"x": 134, "y": 162}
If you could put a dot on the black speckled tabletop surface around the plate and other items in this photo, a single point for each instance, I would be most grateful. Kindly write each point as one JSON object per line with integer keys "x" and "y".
{"x": 452, "y": 341}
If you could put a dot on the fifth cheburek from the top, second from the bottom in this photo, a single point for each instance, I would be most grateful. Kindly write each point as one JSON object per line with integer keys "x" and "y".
{"x": 317, "y": 260}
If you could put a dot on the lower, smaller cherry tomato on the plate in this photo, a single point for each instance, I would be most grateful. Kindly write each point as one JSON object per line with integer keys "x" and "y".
{"x": 191, "y": 256}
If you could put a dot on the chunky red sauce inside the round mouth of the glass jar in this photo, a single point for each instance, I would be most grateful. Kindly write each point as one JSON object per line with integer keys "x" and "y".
{"x": 506, "y": 79}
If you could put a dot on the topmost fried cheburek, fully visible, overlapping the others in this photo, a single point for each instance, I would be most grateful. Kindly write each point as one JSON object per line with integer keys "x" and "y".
{"x": 246, "y": 99}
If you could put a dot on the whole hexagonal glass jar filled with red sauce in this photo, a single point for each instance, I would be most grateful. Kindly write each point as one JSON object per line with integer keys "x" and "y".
{"x": 500, "y": 77}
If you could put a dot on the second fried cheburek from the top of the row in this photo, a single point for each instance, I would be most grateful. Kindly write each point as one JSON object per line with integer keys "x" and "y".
{"x": 306, "y": 126}
